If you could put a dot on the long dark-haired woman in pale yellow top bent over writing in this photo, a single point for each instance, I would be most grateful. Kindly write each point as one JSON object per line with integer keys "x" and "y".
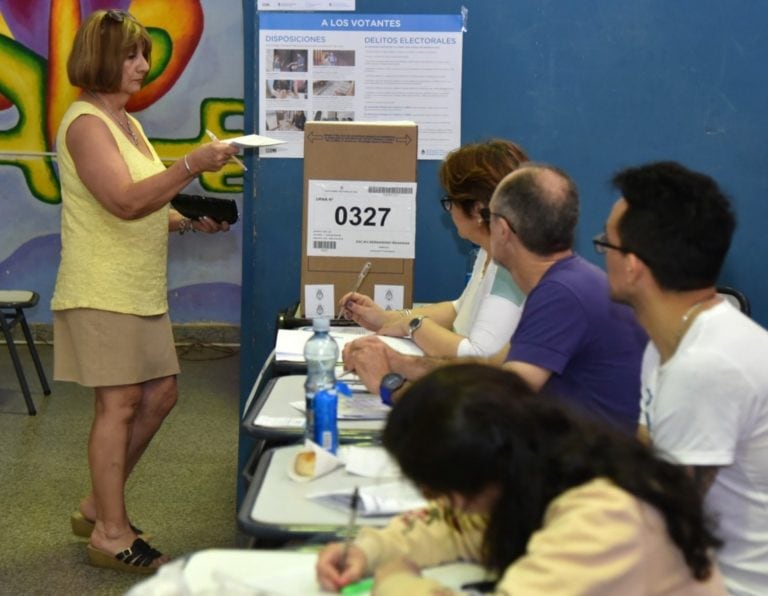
{"x": 548, "y": 503}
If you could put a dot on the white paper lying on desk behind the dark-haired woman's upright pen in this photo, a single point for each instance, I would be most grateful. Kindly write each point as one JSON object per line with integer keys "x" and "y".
{"x": 376, "y": 500}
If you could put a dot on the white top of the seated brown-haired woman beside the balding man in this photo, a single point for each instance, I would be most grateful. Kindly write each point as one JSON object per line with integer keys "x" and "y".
{"x": 488, "y": 310}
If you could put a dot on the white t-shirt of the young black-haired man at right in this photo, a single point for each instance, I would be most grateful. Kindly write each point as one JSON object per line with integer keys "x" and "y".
{"x": 708, "y": 406}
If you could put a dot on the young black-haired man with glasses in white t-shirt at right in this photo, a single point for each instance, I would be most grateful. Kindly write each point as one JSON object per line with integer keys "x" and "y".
{"x": 704, "y": 375}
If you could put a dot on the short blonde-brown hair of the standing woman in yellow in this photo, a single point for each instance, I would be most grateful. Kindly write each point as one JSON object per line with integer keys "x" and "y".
{"x": 102, "y": 43}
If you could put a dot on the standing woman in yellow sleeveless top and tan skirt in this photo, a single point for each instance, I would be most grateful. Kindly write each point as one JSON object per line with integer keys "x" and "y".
{"x": 111, "y": 325}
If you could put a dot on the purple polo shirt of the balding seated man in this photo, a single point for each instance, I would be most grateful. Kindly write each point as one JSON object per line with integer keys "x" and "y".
{"x": 592, "y": 345}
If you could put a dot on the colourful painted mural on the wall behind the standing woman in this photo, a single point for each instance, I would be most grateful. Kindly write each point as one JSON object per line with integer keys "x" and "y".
{"x": 195, "y": 84}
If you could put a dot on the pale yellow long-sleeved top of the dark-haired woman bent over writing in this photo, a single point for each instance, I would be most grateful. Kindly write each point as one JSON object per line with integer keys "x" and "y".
{"x": 596, "y": 539}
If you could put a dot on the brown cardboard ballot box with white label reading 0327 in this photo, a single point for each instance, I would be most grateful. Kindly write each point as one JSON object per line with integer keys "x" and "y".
{"x": 359, "y": 206}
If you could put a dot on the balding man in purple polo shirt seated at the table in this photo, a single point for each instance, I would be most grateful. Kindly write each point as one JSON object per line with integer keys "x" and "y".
{"x": 572, "y": 341}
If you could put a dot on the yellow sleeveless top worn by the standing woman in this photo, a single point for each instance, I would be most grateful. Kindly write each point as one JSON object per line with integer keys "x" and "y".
{"x": 108, "y": 263}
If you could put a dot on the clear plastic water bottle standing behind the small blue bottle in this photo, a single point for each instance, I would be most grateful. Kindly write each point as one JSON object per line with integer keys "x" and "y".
{"x": 321, "y": 354}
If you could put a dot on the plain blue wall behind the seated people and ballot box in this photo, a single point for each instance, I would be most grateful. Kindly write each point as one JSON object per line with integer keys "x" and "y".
{"x": 591, "y": 86}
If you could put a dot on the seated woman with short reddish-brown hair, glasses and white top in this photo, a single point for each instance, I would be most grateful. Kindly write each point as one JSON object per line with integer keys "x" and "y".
{"x": 481, "y": 321}
